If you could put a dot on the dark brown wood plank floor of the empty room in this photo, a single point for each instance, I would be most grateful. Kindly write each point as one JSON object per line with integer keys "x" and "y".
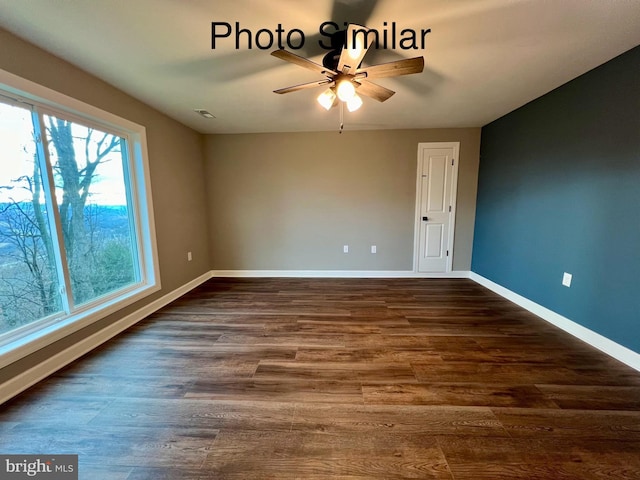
{"x": 350, "y": 379}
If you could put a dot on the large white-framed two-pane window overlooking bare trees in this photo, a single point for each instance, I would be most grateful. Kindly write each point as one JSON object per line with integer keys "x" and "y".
{"x": 76, "y": 237}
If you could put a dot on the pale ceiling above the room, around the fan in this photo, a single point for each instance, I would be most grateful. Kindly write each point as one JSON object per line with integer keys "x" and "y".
{"x": 484, "y": 58}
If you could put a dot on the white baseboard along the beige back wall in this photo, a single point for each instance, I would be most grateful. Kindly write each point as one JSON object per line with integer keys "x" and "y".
{"x": 337, "y": 274}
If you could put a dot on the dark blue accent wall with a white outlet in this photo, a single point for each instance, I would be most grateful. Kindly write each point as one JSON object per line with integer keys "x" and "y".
{"x": 559, "y": 191}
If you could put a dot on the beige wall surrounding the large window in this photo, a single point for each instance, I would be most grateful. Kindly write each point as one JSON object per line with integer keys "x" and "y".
{"x": 176, "y": 168}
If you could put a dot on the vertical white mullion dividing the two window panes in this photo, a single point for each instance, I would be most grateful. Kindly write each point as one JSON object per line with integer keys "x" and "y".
{"x": 48, "y": 183}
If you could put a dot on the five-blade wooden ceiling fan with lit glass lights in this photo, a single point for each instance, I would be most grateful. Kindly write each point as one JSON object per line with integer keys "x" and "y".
{"x": 344, "y": 76}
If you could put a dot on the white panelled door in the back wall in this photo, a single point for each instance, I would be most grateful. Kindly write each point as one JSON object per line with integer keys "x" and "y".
{"x": 435, "y": 206}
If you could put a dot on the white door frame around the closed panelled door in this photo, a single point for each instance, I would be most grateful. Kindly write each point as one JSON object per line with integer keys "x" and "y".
{"x": 453, "y": 201}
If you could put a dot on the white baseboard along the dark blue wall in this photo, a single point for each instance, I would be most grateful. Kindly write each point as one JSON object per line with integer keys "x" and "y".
{"x": 617, "y": 351}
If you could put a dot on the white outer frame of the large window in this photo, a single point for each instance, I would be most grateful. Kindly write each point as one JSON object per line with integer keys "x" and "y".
{"x": 30, "y": 338}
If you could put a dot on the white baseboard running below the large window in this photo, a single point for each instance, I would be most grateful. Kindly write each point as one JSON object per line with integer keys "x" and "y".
{"x": 30, "y": 377}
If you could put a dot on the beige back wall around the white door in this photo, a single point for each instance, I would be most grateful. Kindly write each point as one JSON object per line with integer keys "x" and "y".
{"x": 290, "y": 201}
